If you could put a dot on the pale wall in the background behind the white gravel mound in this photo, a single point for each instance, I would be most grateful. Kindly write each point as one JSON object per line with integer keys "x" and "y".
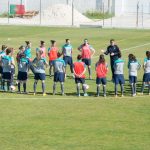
{"x": 81, "y": 5}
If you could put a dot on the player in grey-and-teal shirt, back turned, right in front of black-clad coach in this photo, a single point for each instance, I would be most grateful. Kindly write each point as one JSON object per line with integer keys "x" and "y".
{"x": 118, "y": 75}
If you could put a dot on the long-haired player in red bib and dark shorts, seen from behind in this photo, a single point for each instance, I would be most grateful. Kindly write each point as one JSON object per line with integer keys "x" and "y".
{"x": 101, "y": 73}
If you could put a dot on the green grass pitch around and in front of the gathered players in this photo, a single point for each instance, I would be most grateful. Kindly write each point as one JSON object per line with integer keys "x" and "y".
{"x": 30, "y": 122}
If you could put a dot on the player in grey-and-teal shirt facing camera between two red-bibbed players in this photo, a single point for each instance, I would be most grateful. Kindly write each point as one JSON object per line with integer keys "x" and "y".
{"x": 67, "y": 55}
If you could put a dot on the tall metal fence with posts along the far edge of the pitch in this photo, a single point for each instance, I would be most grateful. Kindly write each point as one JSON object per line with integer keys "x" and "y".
{"x": 122, "y": 14}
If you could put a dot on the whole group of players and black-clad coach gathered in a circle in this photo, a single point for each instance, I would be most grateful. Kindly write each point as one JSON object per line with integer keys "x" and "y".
{"x": 78, "y": 69}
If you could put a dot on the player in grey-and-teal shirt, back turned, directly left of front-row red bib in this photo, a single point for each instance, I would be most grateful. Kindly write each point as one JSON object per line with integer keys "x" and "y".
{"x": 59, "y": 73}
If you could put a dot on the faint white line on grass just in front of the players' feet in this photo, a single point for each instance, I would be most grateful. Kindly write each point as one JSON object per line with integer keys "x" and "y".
{"x": 75, "y": 98}
